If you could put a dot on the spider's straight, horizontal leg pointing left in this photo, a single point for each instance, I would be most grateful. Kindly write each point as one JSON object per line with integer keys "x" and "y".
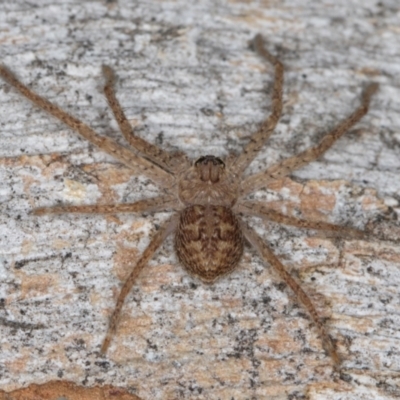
{"x": 148, "y": 205}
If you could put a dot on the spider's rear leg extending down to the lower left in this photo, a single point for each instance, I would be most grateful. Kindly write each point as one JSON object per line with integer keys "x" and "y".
{"x": 168, "y": 228}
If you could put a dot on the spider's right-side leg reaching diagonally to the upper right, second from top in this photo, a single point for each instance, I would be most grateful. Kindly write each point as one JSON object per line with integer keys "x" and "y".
{"x": 284, "y": 168}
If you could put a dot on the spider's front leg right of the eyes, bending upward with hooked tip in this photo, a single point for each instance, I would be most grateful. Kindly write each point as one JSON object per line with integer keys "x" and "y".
{"x": 260, "y": 137}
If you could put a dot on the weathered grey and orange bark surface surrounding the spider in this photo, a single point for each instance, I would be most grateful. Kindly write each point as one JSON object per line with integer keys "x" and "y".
{"x": 188, "y": 81}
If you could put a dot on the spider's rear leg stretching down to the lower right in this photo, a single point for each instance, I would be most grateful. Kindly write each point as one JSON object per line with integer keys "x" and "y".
{"x": 267, "y": 254}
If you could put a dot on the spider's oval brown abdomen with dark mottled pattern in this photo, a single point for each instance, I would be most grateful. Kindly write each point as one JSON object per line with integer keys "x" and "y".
{"x": 208, "y": 241}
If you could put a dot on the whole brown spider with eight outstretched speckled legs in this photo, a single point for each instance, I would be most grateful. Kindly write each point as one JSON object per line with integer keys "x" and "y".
{"x": 208, "y": 195}
